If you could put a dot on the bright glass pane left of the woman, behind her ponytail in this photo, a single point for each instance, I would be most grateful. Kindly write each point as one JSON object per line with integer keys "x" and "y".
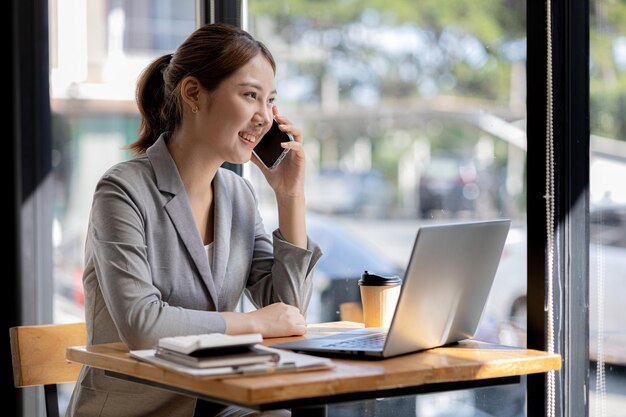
{"x": 97, "y": 50}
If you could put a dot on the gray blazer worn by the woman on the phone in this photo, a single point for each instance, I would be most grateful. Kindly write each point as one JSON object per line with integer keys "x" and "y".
{"x": 147, "y": 274}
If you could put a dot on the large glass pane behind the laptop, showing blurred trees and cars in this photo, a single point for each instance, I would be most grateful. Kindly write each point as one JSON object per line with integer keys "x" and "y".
{"x": 413, "y": 113}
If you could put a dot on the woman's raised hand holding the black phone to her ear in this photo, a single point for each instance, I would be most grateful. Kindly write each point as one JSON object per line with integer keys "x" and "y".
{"x": 287, "y": 179}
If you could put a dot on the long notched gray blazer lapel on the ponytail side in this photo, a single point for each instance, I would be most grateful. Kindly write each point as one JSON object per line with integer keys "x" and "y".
{"x": 168, "y": 180}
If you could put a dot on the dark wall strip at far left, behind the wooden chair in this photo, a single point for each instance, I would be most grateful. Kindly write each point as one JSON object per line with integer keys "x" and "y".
{"x": 28, "y": 156}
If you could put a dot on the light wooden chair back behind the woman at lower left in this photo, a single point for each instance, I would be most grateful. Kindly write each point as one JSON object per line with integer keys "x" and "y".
{"x": 38, "y": 356}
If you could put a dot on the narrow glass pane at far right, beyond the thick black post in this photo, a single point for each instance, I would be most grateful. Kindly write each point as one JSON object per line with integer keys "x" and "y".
{"x": 607, "y": 246}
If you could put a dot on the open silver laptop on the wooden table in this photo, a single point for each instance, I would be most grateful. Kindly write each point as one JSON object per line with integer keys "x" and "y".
{"x": 443, "y": 295}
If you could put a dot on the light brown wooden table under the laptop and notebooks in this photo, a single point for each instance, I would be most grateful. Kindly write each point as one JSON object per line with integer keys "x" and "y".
{"x": 470, "y": 364}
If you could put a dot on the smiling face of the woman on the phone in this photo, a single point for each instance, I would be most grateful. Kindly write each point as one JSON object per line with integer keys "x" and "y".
{"x": 239, "y": 112}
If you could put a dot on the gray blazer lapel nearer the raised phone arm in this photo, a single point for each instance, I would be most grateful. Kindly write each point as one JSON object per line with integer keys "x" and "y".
{"x": 222, "y": 230}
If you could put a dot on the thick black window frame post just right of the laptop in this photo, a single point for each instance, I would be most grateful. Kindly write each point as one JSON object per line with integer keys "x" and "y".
{"x": 570, "y": 59}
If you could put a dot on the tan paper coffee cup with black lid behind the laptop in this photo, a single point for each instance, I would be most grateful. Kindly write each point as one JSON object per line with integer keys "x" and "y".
{"x": 379, "y": 296}
